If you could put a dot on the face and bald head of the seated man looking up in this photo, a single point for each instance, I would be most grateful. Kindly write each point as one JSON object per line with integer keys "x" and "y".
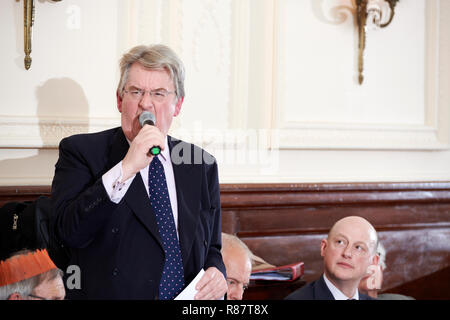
{"x": 348, "y": 251}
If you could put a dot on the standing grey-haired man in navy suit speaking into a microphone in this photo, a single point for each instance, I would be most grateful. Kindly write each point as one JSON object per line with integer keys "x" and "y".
{"x": 139, "y": 225}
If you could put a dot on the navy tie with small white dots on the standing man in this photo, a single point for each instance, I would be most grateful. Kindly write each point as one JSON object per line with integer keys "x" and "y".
{"x": 172, "y": 279}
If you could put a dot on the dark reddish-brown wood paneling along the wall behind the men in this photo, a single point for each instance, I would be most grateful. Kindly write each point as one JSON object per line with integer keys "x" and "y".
{"x": 284, "y": 223}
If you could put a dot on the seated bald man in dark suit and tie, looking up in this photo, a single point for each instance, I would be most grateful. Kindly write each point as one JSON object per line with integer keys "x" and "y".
{"x": 347, "y": 253}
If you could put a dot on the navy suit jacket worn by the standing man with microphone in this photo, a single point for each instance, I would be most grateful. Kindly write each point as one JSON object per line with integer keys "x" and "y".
{"x": 117, "y": 246}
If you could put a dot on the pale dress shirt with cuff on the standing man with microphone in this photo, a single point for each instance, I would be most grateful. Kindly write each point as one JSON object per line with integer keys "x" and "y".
{"x": 116, "y": 188}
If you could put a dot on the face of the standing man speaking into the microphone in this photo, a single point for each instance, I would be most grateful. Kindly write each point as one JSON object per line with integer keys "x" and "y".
{"x": 142, "y": 78}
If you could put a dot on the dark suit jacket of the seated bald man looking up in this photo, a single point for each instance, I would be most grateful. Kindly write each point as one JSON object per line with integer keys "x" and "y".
{"x": 317, "y": 290}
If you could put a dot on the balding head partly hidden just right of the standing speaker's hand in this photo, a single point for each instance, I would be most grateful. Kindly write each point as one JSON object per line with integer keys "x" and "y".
{"x": 239, "y": 268}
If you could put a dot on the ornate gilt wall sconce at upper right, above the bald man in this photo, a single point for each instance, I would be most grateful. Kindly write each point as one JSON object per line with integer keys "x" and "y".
{"x": 371, "y": 15}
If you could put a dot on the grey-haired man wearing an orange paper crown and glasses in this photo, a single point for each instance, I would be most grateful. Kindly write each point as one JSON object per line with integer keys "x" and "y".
{"x": 30, "y": 275}
